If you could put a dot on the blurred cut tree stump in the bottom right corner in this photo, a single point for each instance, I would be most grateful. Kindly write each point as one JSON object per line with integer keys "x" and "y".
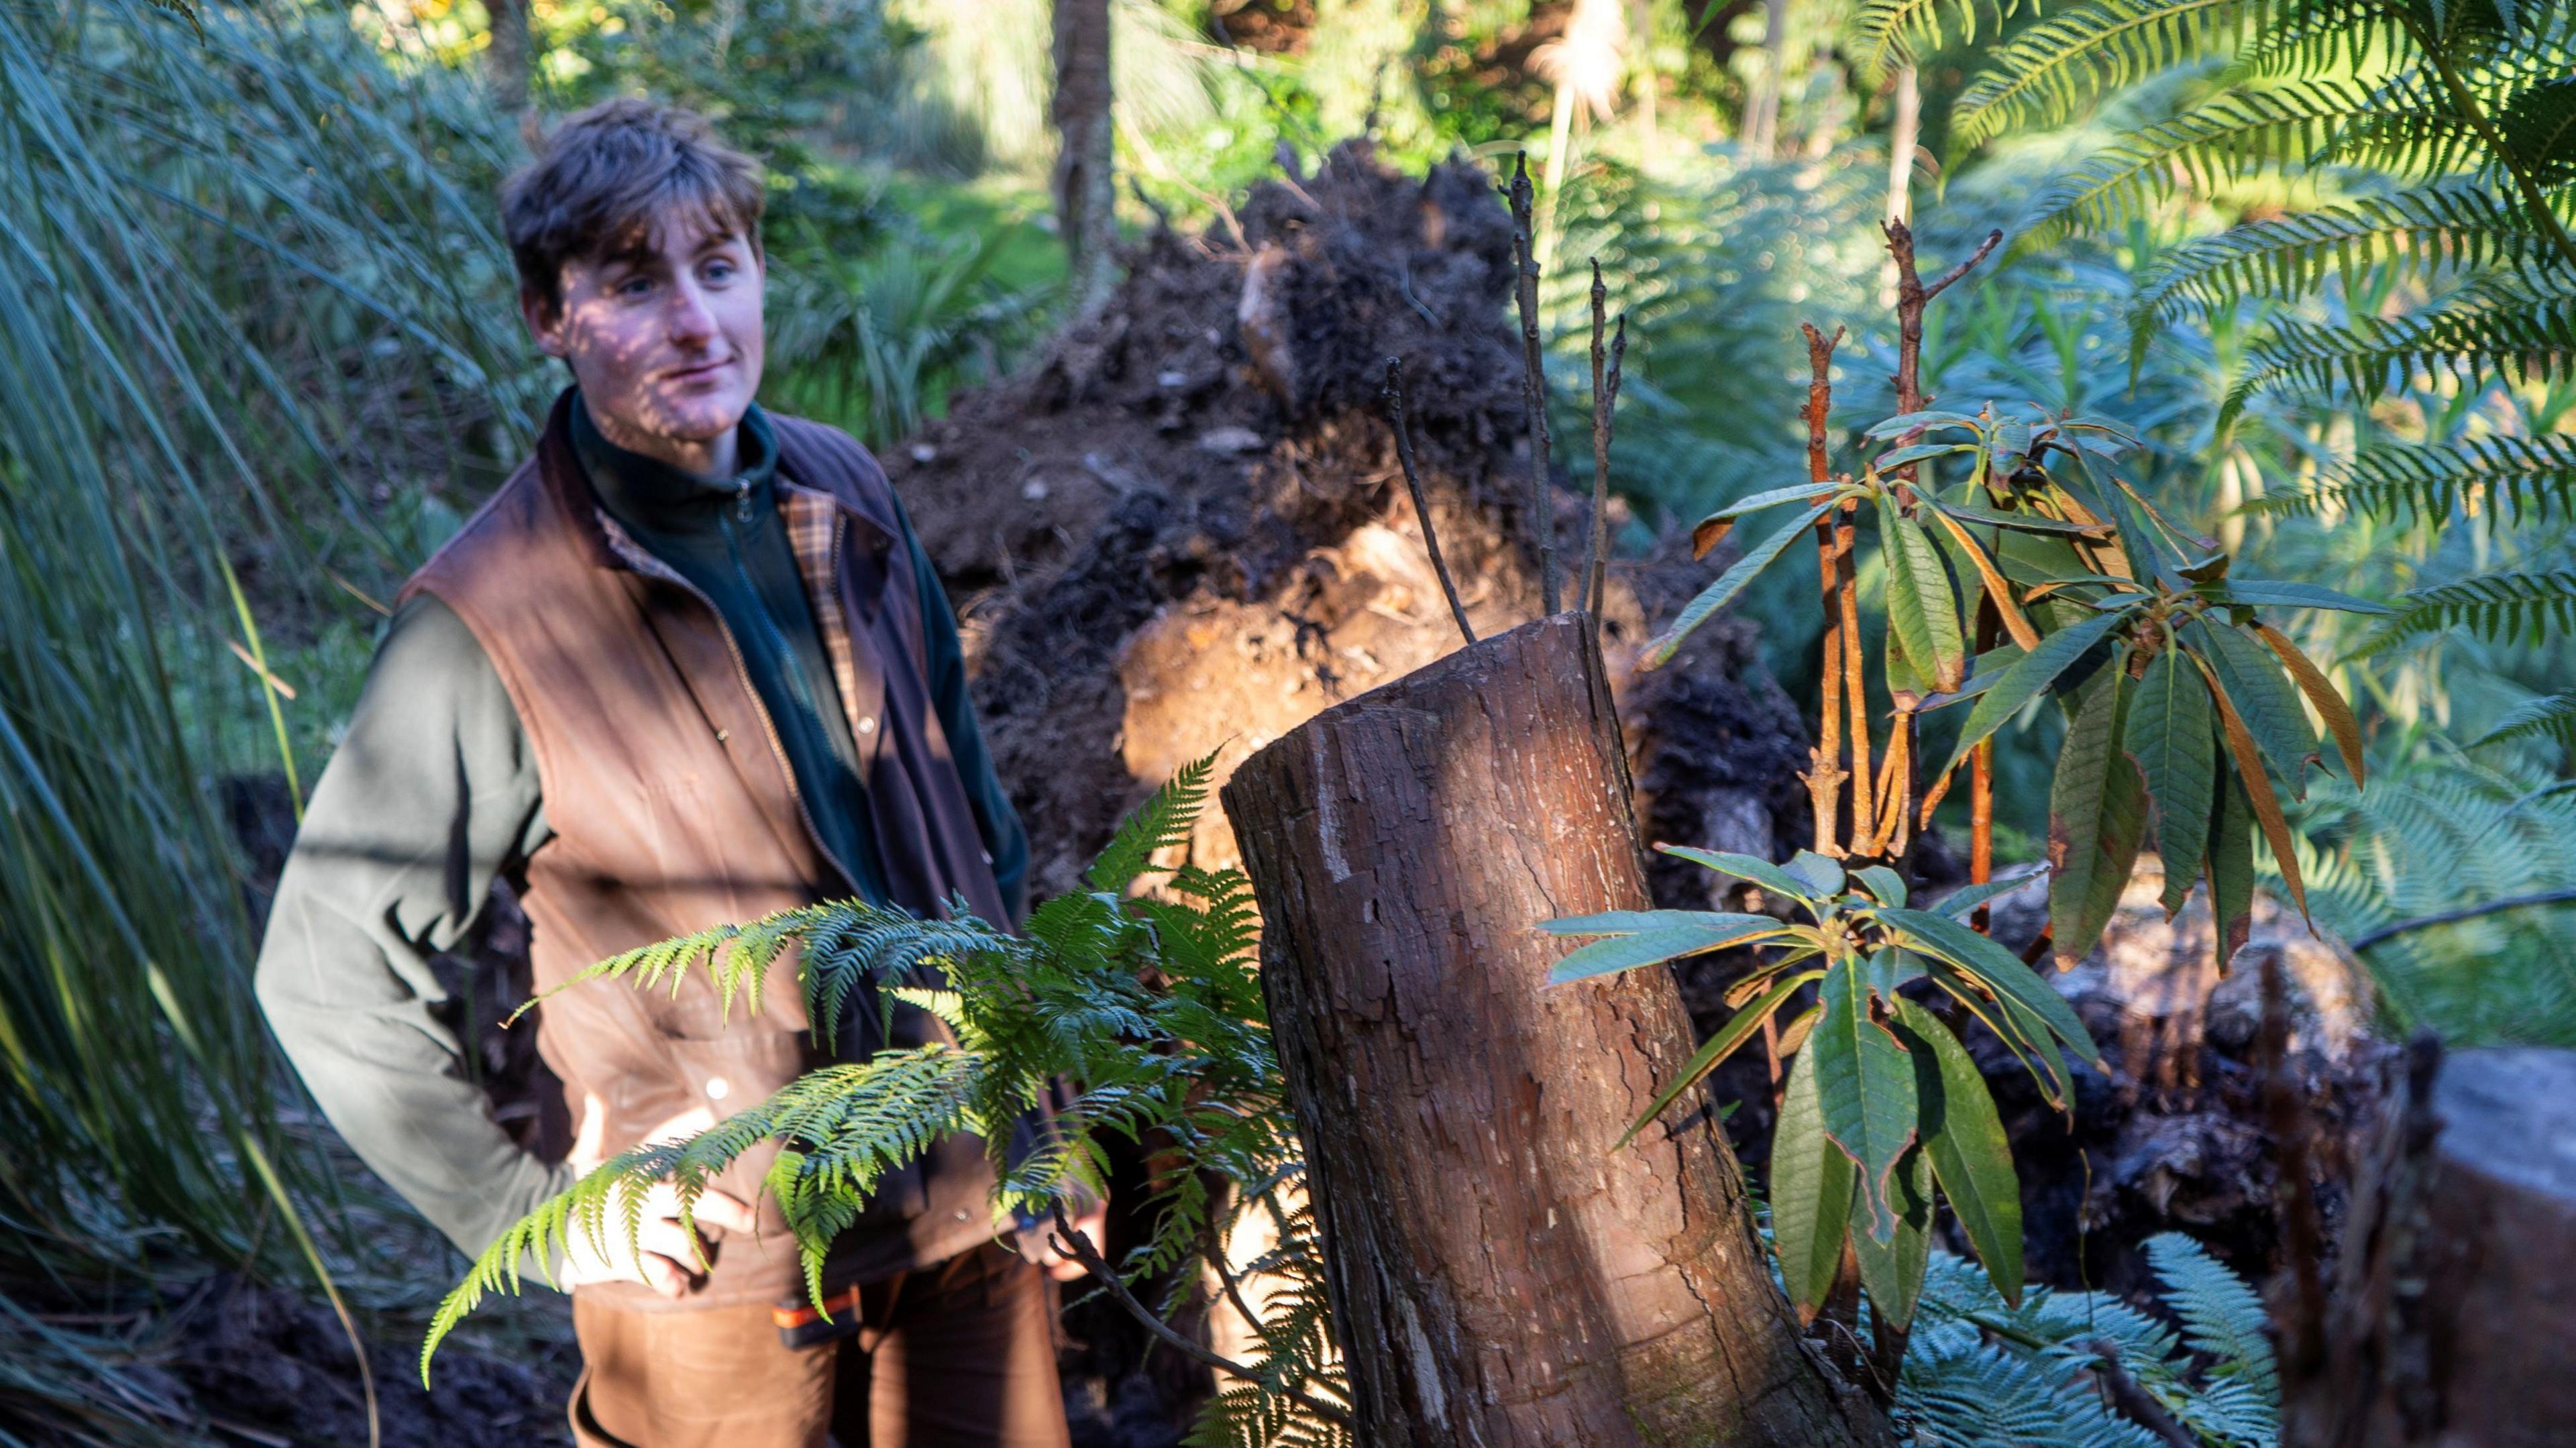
{"x": 2454, "y": 1315}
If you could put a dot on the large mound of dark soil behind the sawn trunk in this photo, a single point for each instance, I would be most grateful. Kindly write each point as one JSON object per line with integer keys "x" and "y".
{"x": 1184, "y": 529}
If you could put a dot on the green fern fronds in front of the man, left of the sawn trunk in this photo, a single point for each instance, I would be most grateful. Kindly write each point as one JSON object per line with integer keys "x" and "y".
{"x": 1142, "y": 1004}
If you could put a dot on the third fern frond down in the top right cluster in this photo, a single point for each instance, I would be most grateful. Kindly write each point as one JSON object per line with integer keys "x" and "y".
{"x": 2420, "y": 231}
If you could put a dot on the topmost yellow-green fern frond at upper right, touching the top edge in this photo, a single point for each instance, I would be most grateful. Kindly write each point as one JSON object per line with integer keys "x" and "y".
{"x": 2052, "y": 68}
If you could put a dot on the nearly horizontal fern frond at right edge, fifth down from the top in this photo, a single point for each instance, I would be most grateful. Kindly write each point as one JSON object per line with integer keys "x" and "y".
{"x": 2521, "y": 478}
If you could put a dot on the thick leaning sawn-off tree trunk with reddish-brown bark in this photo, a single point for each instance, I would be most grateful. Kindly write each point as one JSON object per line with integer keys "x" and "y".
{"x": 1498, "y": 1274}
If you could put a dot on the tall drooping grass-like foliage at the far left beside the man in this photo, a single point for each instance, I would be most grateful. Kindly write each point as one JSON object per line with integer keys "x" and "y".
{"x": 249, "y": 285}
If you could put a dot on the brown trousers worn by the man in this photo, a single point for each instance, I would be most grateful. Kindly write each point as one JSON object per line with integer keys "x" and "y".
{"x": 954, "y": 1357}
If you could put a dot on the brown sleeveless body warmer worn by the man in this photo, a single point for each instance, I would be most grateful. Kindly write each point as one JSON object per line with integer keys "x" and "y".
{"x": 674, "y": 810}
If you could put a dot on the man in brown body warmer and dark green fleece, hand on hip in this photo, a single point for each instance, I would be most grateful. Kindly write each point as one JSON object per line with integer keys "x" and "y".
{"x": 689, "y": 666}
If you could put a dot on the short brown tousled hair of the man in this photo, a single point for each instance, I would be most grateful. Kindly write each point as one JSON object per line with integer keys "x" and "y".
{"x": 607, "y": 176}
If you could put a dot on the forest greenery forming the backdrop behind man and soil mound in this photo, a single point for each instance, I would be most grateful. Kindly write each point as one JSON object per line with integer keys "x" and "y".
{"x": 261, "y": 359}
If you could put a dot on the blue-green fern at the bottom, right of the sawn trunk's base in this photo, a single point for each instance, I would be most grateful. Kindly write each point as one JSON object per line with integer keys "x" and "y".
{"x": 1985, "y": 1372}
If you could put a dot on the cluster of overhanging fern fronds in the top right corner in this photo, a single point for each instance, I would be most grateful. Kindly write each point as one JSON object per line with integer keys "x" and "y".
{"x": 2459, "y": 130}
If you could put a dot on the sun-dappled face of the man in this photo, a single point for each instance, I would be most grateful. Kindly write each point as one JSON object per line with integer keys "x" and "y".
{"x": 666, "y": 339}
